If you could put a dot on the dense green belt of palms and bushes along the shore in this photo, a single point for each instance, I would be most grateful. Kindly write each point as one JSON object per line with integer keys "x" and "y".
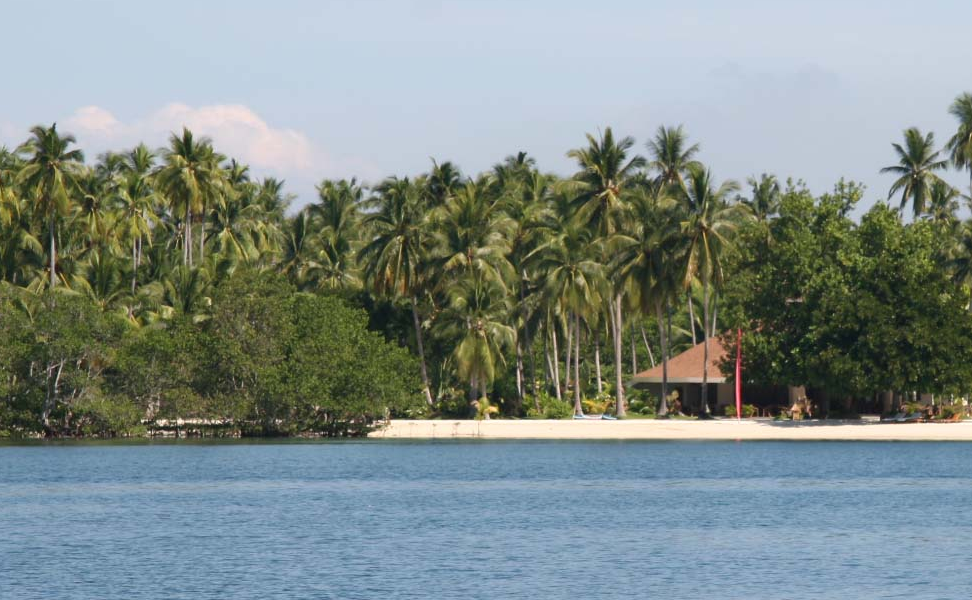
{"x": 514, "y": 290}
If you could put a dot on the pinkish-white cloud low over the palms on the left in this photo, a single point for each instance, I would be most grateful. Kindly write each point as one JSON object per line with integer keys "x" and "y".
{"x": 236, "y": 130}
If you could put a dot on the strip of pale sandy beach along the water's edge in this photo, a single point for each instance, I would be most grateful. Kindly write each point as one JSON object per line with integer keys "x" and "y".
{"x": 643, "y": 429}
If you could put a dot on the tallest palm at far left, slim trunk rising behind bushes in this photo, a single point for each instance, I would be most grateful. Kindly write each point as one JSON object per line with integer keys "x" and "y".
{"x": 51, "y": 174}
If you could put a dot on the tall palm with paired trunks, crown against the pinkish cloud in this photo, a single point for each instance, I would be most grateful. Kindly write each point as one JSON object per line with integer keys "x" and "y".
{"x": 191, "y": 178}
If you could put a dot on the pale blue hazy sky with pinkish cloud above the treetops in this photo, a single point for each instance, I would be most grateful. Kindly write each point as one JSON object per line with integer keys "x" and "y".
{"x": 304, "y": 90}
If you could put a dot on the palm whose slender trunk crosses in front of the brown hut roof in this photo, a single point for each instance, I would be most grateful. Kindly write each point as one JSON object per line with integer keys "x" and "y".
{"x": 709, "y": 220}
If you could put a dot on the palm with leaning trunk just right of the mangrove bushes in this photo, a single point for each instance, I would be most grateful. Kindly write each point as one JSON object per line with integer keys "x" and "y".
{"x": 398, "y": 248}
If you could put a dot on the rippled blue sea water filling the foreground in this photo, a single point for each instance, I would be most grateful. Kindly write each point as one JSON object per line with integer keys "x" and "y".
{"x": 538, "y": 520}
